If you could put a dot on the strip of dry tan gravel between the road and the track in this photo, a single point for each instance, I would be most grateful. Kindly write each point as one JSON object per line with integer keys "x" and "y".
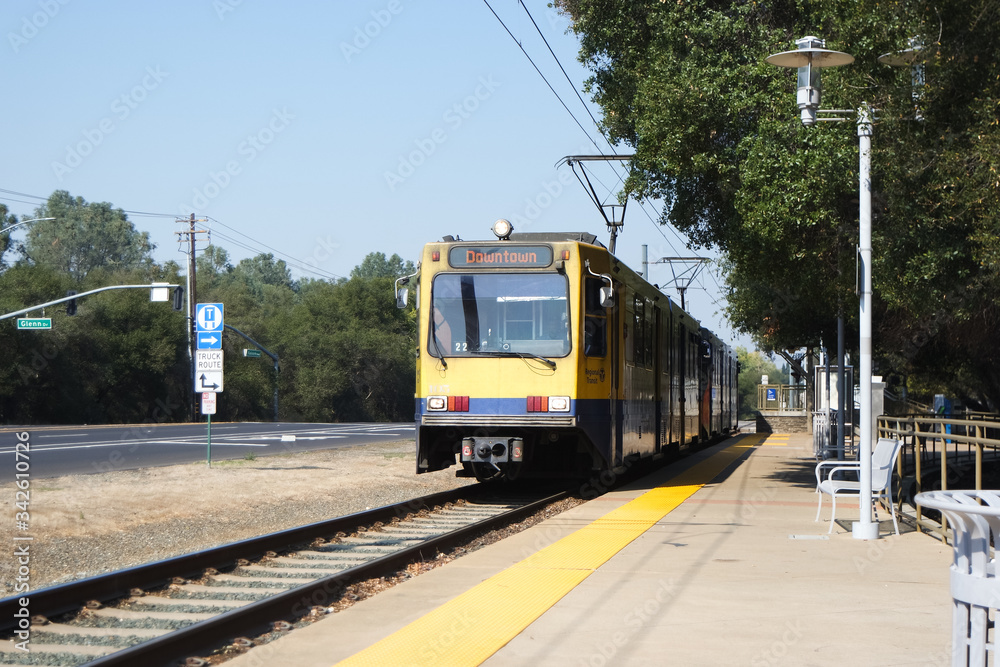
{"x": 87, "y": 525}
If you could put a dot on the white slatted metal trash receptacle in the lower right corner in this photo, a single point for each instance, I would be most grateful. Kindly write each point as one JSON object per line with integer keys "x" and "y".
{"x": 975, "y": 588}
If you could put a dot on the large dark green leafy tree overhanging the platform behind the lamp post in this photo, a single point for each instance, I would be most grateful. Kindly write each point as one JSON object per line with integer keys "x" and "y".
{"x": 717, "y": 139}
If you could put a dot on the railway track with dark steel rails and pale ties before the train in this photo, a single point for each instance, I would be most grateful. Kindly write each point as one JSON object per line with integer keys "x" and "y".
{"x": 174, "y": 610}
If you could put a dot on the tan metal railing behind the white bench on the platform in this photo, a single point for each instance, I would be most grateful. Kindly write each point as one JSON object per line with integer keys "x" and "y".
{"x": 956, "y": 445}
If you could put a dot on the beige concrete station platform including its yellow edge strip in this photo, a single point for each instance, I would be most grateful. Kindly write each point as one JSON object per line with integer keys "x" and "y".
{"x": 714, "y": 560}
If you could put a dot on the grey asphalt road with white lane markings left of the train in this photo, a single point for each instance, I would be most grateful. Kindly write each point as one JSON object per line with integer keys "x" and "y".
{"x": 76, "y": 450}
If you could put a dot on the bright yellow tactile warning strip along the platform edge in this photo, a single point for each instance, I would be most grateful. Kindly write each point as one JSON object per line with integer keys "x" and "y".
{"x": 498, "y": 609}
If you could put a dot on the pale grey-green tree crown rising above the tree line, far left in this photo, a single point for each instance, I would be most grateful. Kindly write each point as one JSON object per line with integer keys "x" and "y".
{"x": 84, "y": 236}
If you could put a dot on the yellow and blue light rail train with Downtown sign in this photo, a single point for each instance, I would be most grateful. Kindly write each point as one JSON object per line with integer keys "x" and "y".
{"x": 542, "y": 354}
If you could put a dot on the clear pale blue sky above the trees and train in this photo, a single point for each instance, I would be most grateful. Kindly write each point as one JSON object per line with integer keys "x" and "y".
{"x": 318, "y": 131}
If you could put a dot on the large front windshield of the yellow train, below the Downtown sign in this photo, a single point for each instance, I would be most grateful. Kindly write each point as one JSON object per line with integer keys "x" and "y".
{"x": 499, "y": 313}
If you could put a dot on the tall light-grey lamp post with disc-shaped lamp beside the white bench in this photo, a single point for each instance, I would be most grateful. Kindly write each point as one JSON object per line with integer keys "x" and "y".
{"x": 808, "y": 58}
